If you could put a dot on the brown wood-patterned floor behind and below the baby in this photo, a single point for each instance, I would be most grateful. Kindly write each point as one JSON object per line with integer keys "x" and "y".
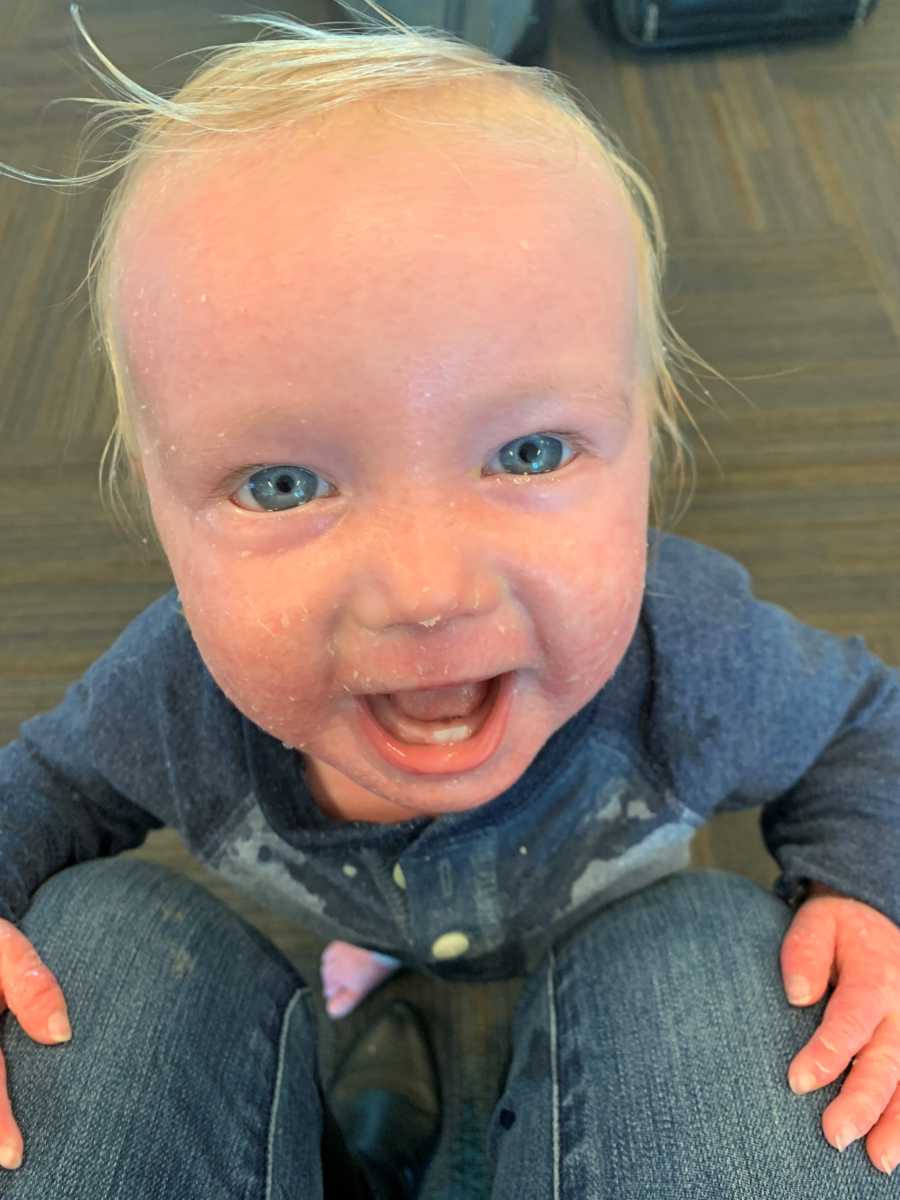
{"x": 777, "y": 170}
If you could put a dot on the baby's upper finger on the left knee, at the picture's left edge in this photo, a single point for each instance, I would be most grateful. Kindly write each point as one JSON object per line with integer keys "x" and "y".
{"x": 31, "y": 989}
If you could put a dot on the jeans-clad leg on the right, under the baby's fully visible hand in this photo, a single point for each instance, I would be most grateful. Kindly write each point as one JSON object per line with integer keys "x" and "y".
{"x": 651, "y": 1055}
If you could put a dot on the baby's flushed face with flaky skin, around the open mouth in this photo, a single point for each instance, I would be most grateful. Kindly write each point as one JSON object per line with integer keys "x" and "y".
{"x": 399, "y": 338}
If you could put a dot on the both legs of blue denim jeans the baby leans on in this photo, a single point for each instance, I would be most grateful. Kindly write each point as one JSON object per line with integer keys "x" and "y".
{"x": 651, "y": 1057}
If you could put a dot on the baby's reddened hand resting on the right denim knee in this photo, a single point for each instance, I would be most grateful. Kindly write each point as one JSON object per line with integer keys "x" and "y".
{"x": 833, "y": 939}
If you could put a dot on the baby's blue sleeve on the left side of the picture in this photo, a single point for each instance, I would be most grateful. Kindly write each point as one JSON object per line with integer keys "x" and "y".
{"x": 59, "y": 801}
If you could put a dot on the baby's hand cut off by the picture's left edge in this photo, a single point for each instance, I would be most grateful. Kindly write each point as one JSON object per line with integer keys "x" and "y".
{"x": 31, "y": 992}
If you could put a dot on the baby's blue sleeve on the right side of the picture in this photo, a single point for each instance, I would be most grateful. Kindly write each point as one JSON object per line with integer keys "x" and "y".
{"x": 753, "y": 707}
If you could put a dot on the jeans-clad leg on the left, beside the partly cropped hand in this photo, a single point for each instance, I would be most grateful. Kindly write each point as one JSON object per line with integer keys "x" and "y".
{"x": 193, "y": 1067}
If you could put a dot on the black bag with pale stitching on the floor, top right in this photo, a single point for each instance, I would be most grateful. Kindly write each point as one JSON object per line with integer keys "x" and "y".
{"x": 686, "y": 25}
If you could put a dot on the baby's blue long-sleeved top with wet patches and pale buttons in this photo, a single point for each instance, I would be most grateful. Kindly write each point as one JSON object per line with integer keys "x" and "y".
{"x": 721, "y": 703}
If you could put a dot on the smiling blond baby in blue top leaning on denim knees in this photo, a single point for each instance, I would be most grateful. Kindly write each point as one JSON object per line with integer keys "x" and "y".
{"x": 394, "y": 379}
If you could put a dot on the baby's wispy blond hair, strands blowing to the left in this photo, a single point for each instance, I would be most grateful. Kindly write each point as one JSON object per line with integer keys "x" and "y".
{"x": 266, "y": 86}
